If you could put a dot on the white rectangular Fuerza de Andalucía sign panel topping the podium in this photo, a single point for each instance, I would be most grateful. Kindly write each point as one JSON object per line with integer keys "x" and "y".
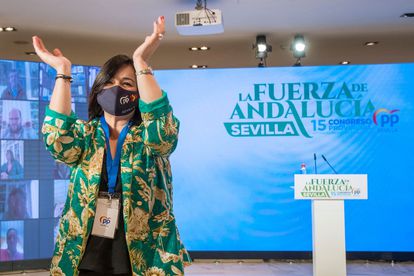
{"x": 331, "y": 186}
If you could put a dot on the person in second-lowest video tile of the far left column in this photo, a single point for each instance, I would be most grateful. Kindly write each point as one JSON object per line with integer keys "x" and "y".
{"x": 16, "y": 205}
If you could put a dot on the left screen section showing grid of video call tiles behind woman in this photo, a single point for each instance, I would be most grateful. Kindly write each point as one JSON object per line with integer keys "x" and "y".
{"x": 33, "y": 187}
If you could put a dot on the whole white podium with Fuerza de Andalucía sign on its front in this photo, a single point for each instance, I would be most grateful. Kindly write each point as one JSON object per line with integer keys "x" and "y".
{"x": 328, "y": 192}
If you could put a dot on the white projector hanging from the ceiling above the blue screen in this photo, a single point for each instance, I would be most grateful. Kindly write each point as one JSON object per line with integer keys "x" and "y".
{"x": 199, "y": 22}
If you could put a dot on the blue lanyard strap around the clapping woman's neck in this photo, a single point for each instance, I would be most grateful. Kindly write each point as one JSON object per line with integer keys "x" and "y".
{"x": 112, "y": 165}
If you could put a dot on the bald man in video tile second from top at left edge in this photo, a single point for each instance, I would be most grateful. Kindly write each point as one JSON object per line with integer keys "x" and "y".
{"x": 15, "y": 129}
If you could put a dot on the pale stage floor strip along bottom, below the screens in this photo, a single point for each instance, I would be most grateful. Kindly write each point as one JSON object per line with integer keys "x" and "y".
{"x": 278, "y": 268}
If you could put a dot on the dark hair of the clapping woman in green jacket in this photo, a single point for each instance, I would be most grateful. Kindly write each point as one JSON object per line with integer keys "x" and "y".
{"x": 107, "y": 72}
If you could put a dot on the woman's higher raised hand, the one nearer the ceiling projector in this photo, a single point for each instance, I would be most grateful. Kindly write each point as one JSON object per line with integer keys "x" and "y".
{"x": 151, "y": 43}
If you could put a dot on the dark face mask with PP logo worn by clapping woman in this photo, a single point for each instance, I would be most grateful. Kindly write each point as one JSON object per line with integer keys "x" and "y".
{"x": 117, "y": 101}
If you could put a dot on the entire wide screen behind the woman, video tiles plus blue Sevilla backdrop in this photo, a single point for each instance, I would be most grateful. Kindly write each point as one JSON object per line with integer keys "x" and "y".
{"x": 244, "y": 134}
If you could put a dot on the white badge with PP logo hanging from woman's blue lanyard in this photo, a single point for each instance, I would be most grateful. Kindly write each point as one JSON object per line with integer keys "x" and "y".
{"x": 106, "y": 217}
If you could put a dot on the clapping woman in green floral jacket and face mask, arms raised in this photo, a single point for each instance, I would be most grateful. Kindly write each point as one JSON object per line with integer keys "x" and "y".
{"x": 120, "y": 157}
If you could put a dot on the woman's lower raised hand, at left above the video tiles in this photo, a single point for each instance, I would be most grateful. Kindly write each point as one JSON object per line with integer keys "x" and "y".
{"x": 61, "y": 64}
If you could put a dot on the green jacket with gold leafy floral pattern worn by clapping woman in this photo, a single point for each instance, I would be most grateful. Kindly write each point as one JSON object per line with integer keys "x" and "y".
{"x": 152, "y": 237}
